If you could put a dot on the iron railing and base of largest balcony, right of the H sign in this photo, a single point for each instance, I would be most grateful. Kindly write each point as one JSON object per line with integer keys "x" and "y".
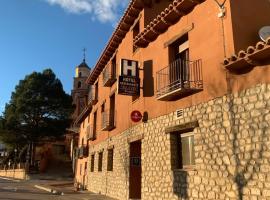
{"x": 181, "y": 78}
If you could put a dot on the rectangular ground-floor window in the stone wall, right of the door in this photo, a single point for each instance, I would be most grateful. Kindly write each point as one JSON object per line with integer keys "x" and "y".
{"x": 182, "y": 149}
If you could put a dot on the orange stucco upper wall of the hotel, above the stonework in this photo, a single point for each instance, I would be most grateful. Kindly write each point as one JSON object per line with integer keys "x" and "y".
{"x": 206, "y": 41}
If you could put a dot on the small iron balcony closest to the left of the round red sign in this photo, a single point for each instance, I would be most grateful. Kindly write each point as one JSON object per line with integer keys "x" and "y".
{"x": 108, "y": 120}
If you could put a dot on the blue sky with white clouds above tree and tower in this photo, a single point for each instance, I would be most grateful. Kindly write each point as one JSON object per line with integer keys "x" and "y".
{"x": 37, "y": 34}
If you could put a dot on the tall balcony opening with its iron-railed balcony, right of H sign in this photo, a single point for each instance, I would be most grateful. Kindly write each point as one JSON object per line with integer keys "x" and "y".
{"x": 182, "y": 76}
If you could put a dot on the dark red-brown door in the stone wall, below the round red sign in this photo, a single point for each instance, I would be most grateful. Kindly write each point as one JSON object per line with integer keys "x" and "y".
{"x": 135, "y": 171}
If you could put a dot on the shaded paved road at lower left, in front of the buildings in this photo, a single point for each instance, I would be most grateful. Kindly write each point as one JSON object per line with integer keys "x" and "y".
{"x": 25, "y": 190}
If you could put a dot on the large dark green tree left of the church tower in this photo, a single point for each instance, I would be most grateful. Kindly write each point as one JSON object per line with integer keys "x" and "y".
{"x": 39, "y": 108}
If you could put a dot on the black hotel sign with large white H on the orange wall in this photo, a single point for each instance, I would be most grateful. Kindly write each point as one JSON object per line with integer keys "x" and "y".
{"x": 129, "y": 81}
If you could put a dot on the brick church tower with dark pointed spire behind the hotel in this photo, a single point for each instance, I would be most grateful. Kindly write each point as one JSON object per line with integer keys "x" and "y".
{"x": 80, "y": 88}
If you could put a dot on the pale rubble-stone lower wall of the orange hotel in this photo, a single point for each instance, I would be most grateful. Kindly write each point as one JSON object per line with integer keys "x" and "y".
{"x": 232, "y": 153}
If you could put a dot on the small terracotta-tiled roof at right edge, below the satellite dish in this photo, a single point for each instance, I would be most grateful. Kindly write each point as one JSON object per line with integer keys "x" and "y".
{"x": 252, "y": 56}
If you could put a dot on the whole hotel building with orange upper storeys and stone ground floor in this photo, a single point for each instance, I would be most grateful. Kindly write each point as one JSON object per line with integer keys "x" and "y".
{"x": 204, "y": 101}
